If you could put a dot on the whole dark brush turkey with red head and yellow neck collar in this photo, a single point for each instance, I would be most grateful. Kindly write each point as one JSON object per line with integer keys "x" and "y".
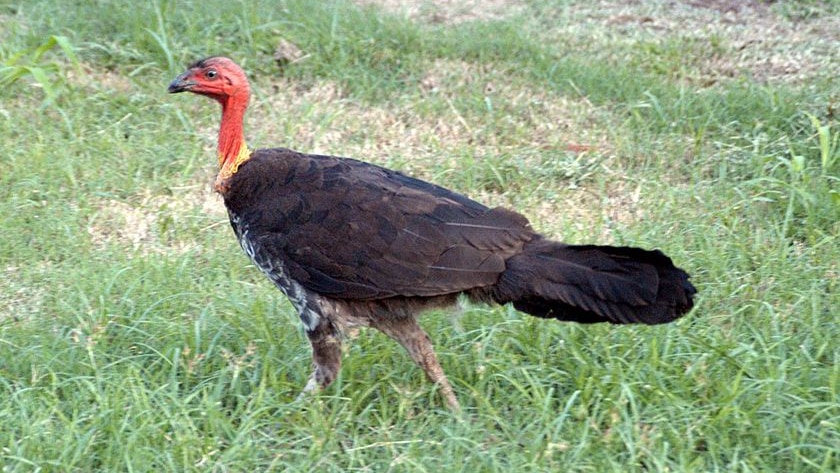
{"x": 353, "y": 244}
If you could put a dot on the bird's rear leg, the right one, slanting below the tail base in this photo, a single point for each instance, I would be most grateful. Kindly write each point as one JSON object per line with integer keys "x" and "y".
{"x": 411, "y": 336}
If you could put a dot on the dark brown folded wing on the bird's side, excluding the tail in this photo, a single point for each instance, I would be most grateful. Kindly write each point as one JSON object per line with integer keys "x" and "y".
{"x": 349, "y": 229}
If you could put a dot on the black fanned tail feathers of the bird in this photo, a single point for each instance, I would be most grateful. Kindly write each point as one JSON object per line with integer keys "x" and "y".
{"x": 591, "y": 284}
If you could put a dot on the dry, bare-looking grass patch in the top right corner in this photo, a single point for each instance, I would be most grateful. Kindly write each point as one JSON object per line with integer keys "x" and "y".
{"x": 734, "y": 38}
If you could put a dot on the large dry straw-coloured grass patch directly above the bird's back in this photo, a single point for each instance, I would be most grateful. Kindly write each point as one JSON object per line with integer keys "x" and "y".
{"x": 321, "y": 119}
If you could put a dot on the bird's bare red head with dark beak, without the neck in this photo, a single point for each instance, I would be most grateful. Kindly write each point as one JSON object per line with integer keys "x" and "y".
{"x": 216, "y": 77}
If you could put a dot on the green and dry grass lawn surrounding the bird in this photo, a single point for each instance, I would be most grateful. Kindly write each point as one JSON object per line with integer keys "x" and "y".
{"x": 135, "y": 336}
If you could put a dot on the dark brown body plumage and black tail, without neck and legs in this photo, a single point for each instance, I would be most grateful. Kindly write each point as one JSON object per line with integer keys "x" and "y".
{"x": 346, "y": 230}
